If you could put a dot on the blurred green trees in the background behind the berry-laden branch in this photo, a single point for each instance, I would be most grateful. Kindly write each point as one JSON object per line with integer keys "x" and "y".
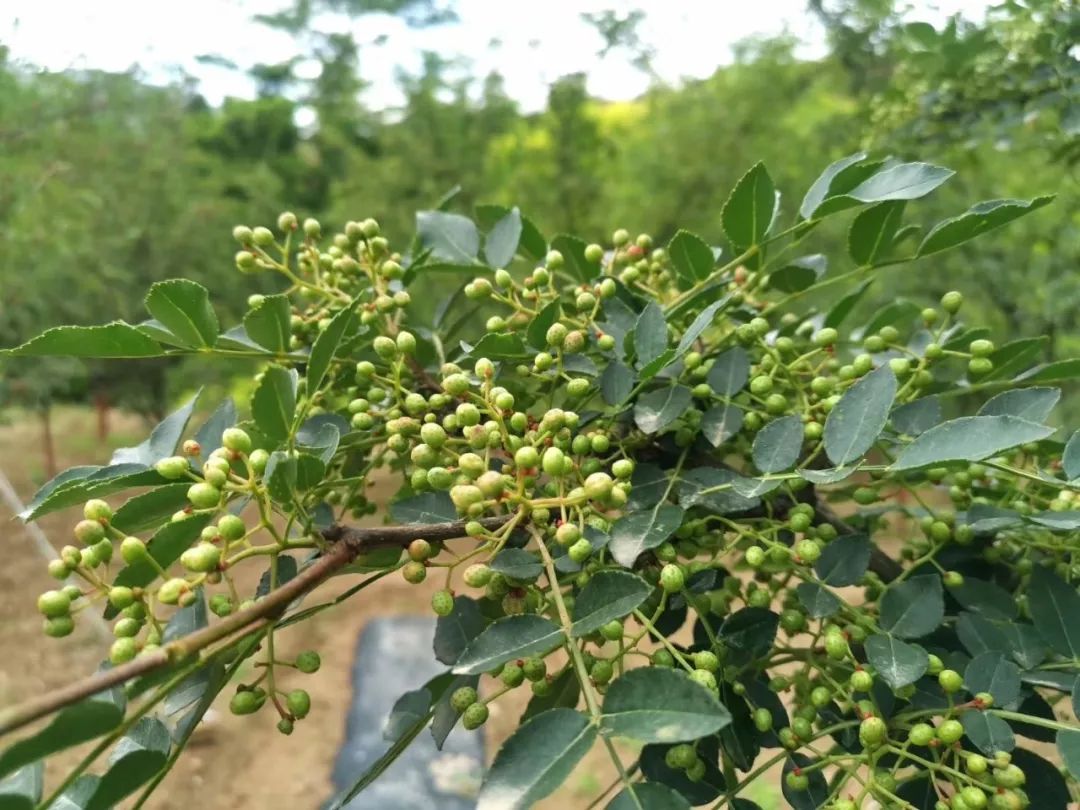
{"x": 109, "y": 183}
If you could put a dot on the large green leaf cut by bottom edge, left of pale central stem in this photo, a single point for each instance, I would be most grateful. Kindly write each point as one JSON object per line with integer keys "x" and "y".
{"x": 536, "y": 760}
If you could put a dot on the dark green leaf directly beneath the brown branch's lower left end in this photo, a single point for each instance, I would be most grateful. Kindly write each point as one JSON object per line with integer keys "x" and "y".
{"x": 78, "y": 723}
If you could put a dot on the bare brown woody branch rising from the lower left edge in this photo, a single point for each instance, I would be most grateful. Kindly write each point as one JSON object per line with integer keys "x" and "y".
{"x": 348, "y": 544}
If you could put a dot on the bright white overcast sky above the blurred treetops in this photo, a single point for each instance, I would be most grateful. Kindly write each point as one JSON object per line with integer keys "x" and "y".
{"x": 541, "y": 40}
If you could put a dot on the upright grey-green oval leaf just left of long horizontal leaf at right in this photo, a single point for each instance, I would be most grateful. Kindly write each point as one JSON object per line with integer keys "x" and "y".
{"x": 858, "y": 420}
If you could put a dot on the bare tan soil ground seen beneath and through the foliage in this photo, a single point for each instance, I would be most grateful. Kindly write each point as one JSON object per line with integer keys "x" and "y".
{"x": 233, "y": 763}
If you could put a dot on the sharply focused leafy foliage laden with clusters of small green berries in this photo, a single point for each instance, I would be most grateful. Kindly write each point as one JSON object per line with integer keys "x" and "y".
{"x": 597, "y": 447}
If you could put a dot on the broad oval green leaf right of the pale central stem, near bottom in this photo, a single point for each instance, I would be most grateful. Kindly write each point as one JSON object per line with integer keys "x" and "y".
{"x": 659, "y": 706}
